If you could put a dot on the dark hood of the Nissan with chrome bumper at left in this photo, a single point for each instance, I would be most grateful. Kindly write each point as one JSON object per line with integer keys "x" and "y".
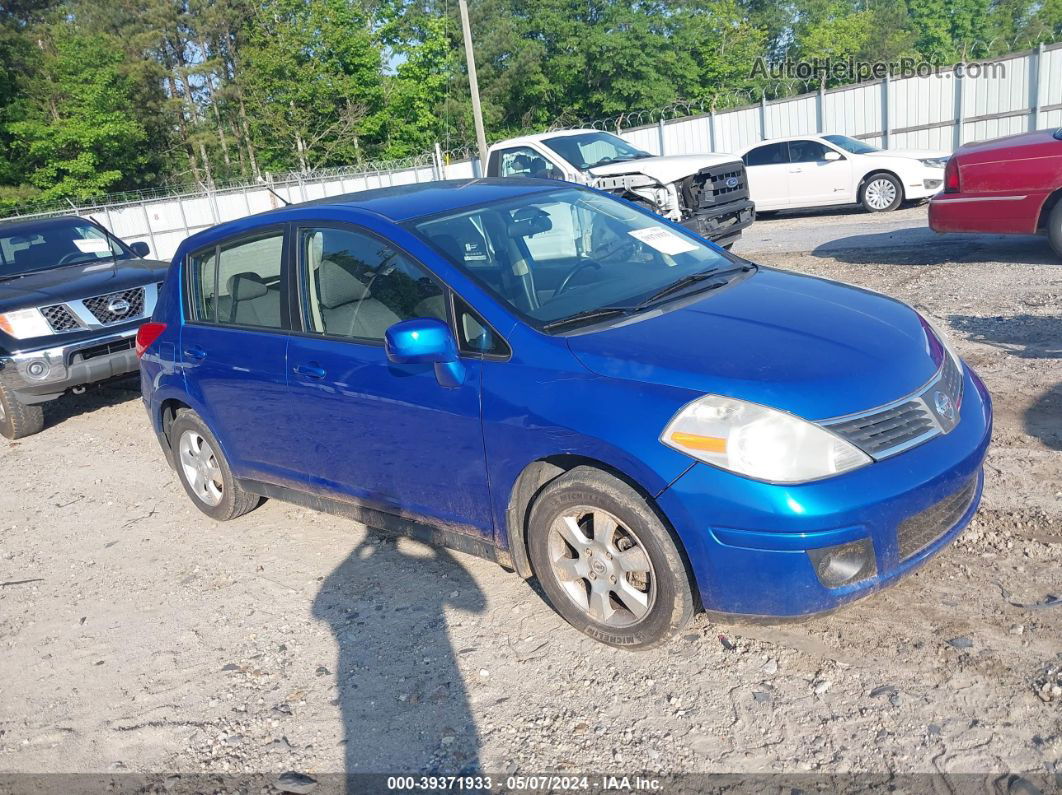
{"x": 82, "y": 281}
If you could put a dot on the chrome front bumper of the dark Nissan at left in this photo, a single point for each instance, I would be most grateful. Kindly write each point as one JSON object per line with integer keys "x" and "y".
{"x": 39, "y": 376}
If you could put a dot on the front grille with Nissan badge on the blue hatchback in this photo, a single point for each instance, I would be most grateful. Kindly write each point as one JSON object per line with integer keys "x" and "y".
{"x": 906, "y": 423}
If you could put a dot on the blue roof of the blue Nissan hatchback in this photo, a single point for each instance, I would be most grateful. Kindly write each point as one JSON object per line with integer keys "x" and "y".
{"x": 398, "y": 204}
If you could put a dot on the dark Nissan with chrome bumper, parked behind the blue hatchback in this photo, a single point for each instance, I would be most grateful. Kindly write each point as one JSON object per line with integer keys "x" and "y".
{"x": 72, "y": 300}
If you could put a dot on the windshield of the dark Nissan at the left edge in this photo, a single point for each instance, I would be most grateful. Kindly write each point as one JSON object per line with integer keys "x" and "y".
{"x": 30, "y": 248}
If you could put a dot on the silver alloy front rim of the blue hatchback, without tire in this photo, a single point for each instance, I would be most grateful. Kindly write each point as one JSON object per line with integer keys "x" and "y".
{"x": 603, "y": 567}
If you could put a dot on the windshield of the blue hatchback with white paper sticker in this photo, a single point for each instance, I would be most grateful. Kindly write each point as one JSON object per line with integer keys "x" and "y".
{"x": 570, "y": 252}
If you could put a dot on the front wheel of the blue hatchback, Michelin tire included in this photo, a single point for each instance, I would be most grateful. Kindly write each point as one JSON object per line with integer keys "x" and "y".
{"x": 670, "y": 599}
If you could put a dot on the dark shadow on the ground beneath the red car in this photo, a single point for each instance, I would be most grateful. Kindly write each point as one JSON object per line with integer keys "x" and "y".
{"x": 920, "y": 246}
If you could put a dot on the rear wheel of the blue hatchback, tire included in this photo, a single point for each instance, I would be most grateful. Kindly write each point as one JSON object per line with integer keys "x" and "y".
{"x": 204, "y": 472}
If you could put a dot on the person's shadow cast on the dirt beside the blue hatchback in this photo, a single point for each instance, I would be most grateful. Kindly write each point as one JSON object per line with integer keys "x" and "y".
{"x": 402, "y": 695}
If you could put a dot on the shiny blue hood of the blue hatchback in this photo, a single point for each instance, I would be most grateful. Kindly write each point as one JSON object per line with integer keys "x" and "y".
{"x": 816, "y": 349}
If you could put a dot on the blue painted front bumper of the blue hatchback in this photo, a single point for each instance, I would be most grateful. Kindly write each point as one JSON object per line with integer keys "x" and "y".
{"x": 748, "y": 542}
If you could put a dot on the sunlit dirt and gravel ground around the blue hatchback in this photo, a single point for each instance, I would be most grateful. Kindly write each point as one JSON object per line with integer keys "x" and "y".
{"x": 139, "y": 636}
